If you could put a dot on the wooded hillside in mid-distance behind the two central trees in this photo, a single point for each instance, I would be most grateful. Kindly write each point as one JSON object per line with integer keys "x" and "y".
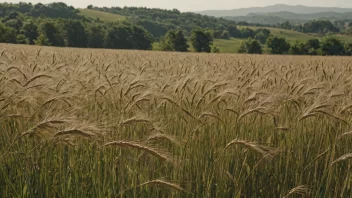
{"x": 159, "y": 21}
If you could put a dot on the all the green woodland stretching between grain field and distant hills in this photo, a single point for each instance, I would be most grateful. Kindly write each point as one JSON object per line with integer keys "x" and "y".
{"x": 58, "y": 24}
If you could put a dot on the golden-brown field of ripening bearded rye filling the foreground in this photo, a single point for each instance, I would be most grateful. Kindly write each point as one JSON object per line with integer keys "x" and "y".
{"x": 108, "y": 123}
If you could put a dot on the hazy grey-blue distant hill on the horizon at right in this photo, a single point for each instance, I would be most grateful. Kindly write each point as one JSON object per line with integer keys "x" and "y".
{"x": 299, "y": 9}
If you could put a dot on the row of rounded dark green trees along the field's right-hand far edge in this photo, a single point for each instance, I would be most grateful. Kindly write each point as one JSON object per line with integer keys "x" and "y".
{"x": 279, "y": 45}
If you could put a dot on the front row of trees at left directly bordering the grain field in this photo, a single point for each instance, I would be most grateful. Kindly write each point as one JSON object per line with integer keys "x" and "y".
{"x": 74, "y": 33}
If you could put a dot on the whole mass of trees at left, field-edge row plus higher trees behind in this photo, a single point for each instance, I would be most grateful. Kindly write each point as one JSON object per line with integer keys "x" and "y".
{"x": 49, "y": 25}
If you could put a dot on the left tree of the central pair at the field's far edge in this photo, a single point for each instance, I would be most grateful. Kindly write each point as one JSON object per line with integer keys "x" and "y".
{"x": 174, "y": 40}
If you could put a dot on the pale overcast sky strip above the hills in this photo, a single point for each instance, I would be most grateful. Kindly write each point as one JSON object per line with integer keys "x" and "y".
{"x": 194, "y": 5}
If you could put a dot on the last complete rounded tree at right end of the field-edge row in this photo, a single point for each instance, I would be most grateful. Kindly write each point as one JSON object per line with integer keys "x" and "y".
{"x": 332, "y": 46}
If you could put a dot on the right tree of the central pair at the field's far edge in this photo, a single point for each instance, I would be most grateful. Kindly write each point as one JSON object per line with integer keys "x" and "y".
{"x": 201, "y": 40}
